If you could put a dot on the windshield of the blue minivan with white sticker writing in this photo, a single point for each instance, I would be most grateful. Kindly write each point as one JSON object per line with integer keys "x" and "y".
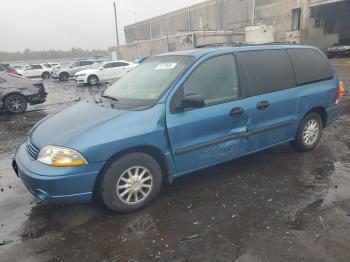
{"x": 147, "y": 82}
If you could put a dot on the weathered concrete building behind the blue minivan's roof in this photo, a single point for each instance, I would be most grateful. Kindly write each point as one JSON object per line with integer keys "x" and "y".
{"x": 316, "y": 22}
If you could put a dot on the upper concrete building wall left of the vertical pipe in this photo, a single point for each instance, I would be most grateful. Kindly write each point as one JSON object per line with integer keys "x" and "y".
{"x": 211, "y": 15}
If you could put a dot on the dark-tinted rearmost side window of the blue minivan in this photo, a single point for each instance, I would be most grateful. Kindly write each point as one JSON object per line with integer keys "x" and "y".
{"x": 310, "y": 66}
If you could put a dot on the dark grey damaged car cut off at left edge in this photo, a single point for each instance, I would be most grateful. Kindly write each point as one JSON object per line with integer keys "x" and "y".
{"x": 16, "y": 92}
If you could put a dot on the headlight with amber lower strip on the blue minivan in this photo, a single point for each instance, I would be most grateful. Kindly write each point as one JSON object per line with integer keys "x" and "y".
{"x": 60, "y": 156}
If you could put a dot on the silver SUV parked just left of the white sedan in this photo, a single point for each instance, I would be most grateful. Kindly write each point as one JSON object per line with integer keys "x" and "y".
{"x": 64, "y": 73}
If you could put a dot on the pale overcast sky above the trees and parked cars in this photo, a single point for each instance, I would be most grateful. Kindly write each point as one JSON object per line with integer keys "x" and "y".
{"x": 63, "y": 24}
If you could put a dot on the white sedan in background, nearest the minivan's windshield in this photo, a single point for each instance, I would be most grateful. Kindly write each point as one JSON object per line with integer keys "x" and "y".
{"x": 106, "y": 71}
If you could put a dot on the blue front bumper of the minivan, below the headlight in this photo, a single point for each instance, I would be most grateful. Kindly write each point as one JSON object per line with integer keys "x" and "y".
{"x": 56, "y": 185}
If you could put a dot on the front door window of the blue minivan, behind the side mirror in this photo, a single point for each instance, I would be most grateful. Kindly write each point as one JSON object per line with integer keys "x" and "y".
{"x": 215, "y": 80}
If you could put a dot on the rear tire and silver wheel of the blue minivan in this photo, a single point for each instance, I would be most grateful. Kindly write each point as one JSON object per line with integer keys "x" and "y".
{"x": 309, "y": 133}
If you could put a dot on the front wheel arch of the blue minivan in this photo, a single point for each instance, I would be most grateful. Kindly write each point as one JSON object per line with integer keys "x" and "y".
{"x": 154, "y": 152}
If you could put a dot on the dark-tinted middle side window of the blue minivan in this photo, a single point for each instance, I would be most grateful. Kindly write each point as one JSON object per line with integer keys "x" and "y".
{"x": 267, "y": 71}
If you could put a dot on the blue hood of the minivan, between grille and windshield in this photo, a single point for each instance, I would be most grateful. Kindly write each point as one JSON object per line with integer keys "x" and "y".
{"x": 61, "y": 127}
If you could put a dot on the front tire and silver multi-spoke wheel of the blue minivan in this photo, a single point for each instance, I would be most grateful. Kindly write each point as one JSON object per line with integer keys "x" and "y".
{"x": 121, "y": 191}
